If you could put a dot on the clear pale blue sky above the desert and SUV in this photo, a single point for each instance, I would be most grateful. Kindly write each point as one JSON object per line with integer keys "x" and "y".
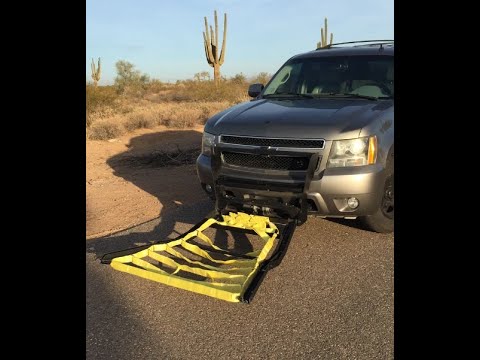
{"x": 163, "y": 38}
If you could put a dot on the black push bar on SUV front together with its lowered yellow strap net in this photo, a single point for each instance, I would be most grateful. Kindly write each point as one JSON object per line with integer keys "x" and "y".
{"x": 224, "y": 274}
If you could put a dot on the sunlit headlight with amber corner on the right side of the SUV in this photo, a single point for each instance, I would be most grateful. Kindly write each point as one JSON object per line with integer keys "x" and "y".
{"x": 354, "y": 152}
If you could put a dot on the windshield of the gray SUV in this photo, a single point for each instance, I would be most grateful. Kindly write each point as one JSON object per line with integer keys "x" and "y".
{"x": 367, "y": 76}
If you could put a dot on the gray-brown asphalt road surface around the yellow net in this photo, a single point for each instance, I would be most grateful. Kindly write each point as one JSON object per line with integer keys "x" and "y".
{"x": 331, "y": 298}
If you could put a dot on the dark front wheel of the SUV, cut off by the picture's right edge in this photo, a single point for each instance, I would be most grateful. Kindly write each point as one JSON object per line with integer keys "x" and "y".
{"x": 382, "y": 220}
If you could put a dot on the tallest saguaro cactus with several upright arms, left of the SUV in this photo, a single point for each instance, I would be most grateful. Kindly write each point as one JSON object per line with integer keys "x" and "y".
{"x": 215, "y": 58}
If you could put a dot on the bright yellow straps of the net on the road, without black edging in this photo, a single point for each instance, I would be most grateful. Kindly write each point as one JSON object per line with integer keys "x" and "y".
{"x": 237, "y": 271}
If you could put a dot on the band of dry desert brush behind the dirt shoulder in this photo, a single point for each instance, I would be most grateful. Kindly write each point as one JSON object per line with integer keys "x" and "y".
{"x": 183, "y": 105}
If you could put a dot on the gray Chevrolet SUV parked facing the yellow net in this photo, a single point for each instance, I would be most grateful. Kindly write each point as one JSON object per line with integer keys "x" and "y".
{"x": 318, "y": 139}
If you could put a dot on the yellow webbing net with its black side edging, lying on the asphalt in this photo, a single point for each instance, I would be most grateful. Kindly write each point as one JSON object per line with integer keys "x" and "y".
{"x": 193, "y": 262}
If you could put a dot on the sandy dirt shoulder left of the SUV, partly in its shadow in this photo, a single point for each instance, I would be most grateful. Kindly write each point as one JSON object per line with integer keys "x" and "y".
{"x": 132, "y": 179}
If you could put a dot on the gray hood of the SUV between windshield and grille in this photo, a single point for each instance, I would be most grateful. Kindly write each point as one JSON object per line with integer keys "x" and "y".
{"x": 330, "y": 119}
